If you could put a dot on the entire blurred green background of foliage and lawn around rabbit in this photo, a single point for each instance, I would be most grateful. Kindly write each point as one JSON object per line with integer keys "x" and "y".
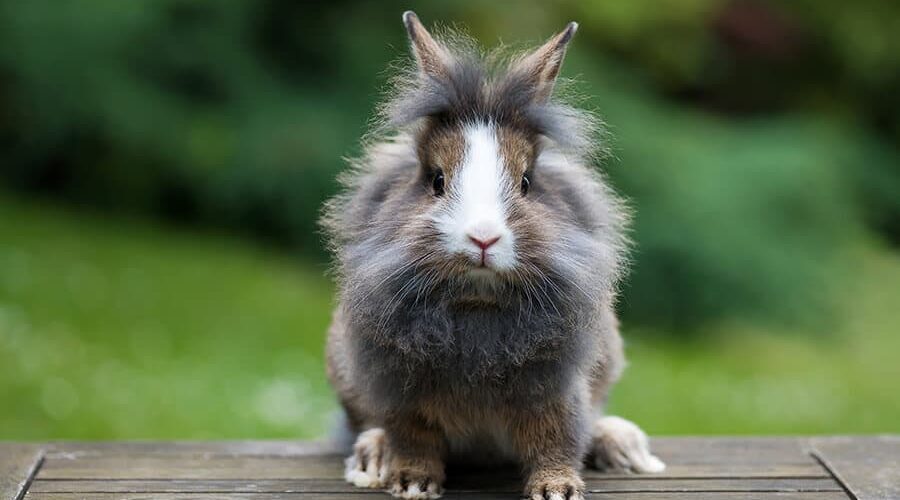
{"x": 162, "y": 165}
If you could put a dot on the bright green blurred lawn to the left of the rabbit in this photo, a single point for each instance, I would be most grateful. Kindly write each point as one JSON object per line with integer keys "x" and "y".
{"x": 114, "y": 329}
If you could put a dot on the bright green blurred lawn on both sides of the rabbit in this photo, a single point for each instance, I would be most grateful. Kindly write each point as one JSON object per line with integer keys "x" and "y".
{"x": 115, "y": 328}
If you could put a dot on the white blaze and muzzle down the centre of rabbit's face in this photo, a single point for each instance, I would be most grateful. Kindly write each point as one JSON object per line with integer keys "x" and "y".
{"x": 476, "y": 222}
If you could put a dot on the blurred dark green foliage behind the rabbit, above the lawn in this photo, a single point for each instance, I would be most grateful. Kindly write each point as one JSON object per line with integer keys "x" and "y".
{"x": 755, "y": 139}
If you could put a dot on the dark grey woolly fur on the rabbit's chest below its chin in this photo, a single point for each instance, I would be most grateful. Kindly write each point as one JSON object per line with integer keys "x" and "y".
{"x": 477, "y": 358}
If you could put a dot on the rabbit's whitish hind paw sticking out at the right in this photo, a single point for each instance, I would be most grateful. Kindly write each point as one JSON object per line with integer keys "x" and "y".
{"x": 621, "y": 445}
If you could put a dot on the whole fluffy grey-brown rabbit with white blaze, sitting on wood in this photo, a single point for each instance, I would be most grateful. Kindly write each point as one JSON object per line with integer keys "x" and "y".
{"x": 477, "y": 254}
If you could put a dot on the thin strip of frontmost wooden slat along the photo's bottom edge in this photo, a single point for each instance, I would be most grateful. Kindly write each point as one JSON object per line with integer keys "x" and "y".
{"x": 448, "y": 496}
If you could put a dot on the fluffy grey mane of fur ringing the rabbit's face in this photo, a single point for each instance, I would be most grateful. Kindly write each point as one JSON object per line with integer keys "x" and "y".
{"x": 399, "y": 301}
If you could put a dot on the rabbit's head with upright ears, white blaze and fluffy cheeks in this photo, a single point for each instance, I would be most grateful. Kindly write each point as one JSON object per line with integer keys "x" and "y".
{"x": 482, "y": 190}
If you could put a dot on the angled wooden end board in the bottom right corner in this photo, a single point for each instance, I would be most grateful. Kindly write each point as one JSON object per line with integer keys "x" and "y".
{"x": 869, "y": 467}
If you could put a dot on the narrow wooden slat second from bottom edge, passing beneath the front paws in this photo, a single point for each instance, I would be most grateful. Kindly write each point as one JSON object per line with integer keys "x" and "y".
{"x": 502, "y": 485}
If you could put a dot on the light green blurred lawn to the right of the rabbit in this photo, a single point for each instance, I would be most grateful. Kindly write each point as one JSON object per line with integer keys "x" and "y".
{"x": 743, "y": 379}
